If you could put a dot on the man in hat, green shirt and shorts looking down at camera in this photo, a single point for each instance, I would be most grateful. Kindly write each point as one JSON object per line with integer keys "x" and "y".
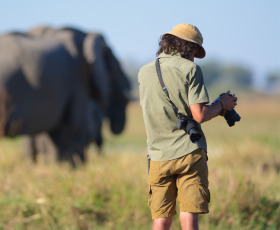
{"x": 178, "y": 166}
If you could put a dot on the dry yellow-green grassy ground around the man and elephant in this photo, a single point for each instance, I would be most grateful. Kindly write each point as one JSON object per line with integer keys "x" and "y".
{"x": 110, "y": 192}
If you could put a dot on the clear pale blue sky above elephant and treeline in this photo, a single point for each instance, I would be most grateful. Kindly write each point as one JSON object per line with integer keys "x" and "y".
{"x": 245, "y": 32}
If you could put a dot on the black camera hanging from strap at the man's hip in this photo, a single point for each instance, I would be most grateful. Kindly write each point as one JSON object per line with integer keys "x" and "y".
{"x": 189, "y": 125}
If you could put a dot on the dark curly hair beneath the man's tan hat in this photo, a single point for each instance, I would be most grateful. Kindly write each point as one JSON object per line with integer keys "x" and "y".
{"x": 171, "y": 44}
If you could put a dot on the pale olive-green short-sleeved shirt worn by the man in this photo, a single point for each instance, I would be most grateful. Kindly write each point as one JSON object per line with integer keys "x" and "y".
{"x": 184, "y": 82}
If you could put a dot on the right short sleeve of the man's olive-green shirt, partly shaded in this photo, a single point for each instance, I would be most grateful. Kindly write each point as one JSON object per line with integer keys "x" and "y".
{"x": 197, "y": 90}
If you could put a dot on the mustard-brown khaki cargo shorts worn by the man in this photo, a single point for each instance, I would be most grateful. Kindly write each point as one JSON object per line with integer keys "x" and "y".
{"x": 185, "y": 177}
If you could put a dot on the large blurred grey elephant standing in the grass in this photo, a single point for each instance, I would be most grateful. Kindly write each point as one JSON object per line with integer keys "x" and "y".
{"x": 50, "y": 78}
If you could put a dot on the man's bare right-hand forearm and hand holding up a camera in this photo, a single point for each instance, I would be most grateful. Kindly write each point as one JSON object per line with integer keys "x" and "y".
{"x": 202, "y": 112}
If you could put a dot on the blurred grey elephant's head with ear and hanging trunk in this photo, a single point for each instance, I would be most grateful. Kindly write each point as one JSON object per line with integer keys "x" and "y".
{"x": 109, "y": 79}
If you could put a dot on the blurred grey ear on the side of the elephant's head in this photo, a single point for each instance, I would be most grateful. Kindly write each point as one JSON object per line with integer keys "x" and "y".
{"x": 94, "y": 49}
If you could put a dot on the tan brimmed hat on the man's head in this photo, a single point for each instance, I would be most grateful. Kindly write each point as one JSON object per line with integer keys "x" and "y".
{"x": 190, "y": 33}
